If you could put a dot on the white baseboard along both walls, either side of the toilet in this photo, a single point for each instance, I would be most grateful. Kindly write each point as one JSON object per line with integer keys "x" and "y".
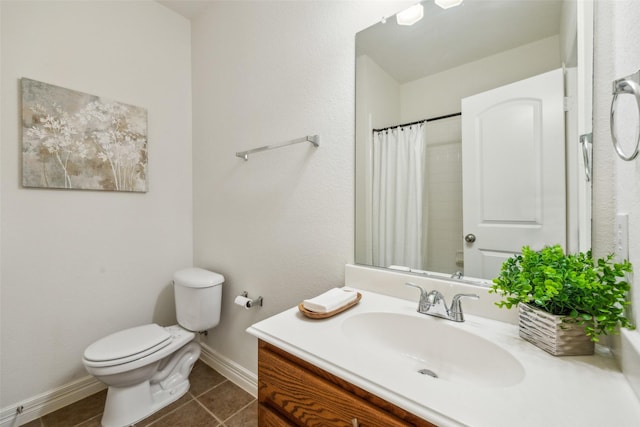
{"x": 45, "y": 403}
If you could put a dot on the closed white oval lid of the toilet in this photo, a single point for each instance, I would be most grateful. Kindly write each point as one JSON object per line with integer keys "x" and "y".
{"x": 129, "y": 344}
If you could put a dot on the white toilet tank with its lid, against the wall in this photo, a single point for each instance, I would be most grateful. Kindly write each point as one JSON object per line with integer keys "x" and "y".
{"x": 198, "y": 295}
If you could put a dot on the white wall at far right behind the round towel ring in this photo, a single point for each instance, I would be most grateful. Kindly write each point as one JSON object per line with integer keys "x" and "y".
{"x": 615, "y": 187}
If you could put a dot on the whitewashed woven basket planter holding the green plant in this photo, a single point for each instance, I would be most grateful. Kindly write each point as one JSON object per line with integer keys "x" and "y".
{"x": 550, "y": 333}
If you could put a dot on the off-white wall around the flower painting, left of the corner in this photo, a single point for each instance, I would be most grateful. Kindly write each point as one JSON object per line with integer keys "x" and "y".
{"x": 78, "y": 265}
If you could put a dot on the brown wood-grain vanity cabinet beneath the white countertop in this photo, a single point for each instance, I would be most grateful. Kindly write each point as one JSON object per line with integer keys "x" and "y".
{"x": 292, "y": 392}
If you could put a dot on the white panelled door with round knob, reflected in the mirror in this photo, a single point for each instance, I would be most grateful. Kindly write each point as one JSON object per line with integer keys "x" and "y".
{"x": 513, "y": 157}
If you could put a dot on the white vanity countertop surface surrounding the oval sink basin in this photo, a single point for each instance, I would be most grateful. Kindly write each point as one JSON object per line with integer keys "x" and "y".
{"x": 555, "y": 391}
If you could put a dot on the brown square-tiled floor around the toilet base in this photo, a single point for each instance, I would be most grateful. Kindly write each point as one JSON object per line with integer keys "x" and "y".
{"x": 212, "y": 401}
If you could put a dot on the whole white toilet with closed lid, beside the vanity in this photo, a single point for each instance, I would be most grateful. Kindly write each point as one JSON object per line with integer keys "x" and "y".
{"x": 147, "y": 367}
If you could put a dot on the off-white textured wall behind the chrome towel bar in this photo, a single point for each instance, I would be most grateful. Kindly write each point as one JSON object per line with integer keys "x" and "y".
{"x": 281, "y": 224}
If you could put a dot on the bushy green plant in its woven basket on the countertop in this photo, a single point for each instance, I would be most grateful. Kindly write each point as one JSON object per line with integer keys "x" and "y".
{"x": 566, "y": 301}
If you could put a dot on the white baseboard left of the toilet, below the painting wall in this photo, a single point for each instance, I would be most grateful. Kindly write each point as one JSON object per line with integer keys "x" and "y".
{"x": 45, "y": 403}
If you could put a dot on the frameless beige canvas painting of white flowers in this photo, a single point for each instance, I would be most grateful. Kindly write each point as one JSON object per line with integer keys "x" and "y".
{"x": 78, "y": 141}
